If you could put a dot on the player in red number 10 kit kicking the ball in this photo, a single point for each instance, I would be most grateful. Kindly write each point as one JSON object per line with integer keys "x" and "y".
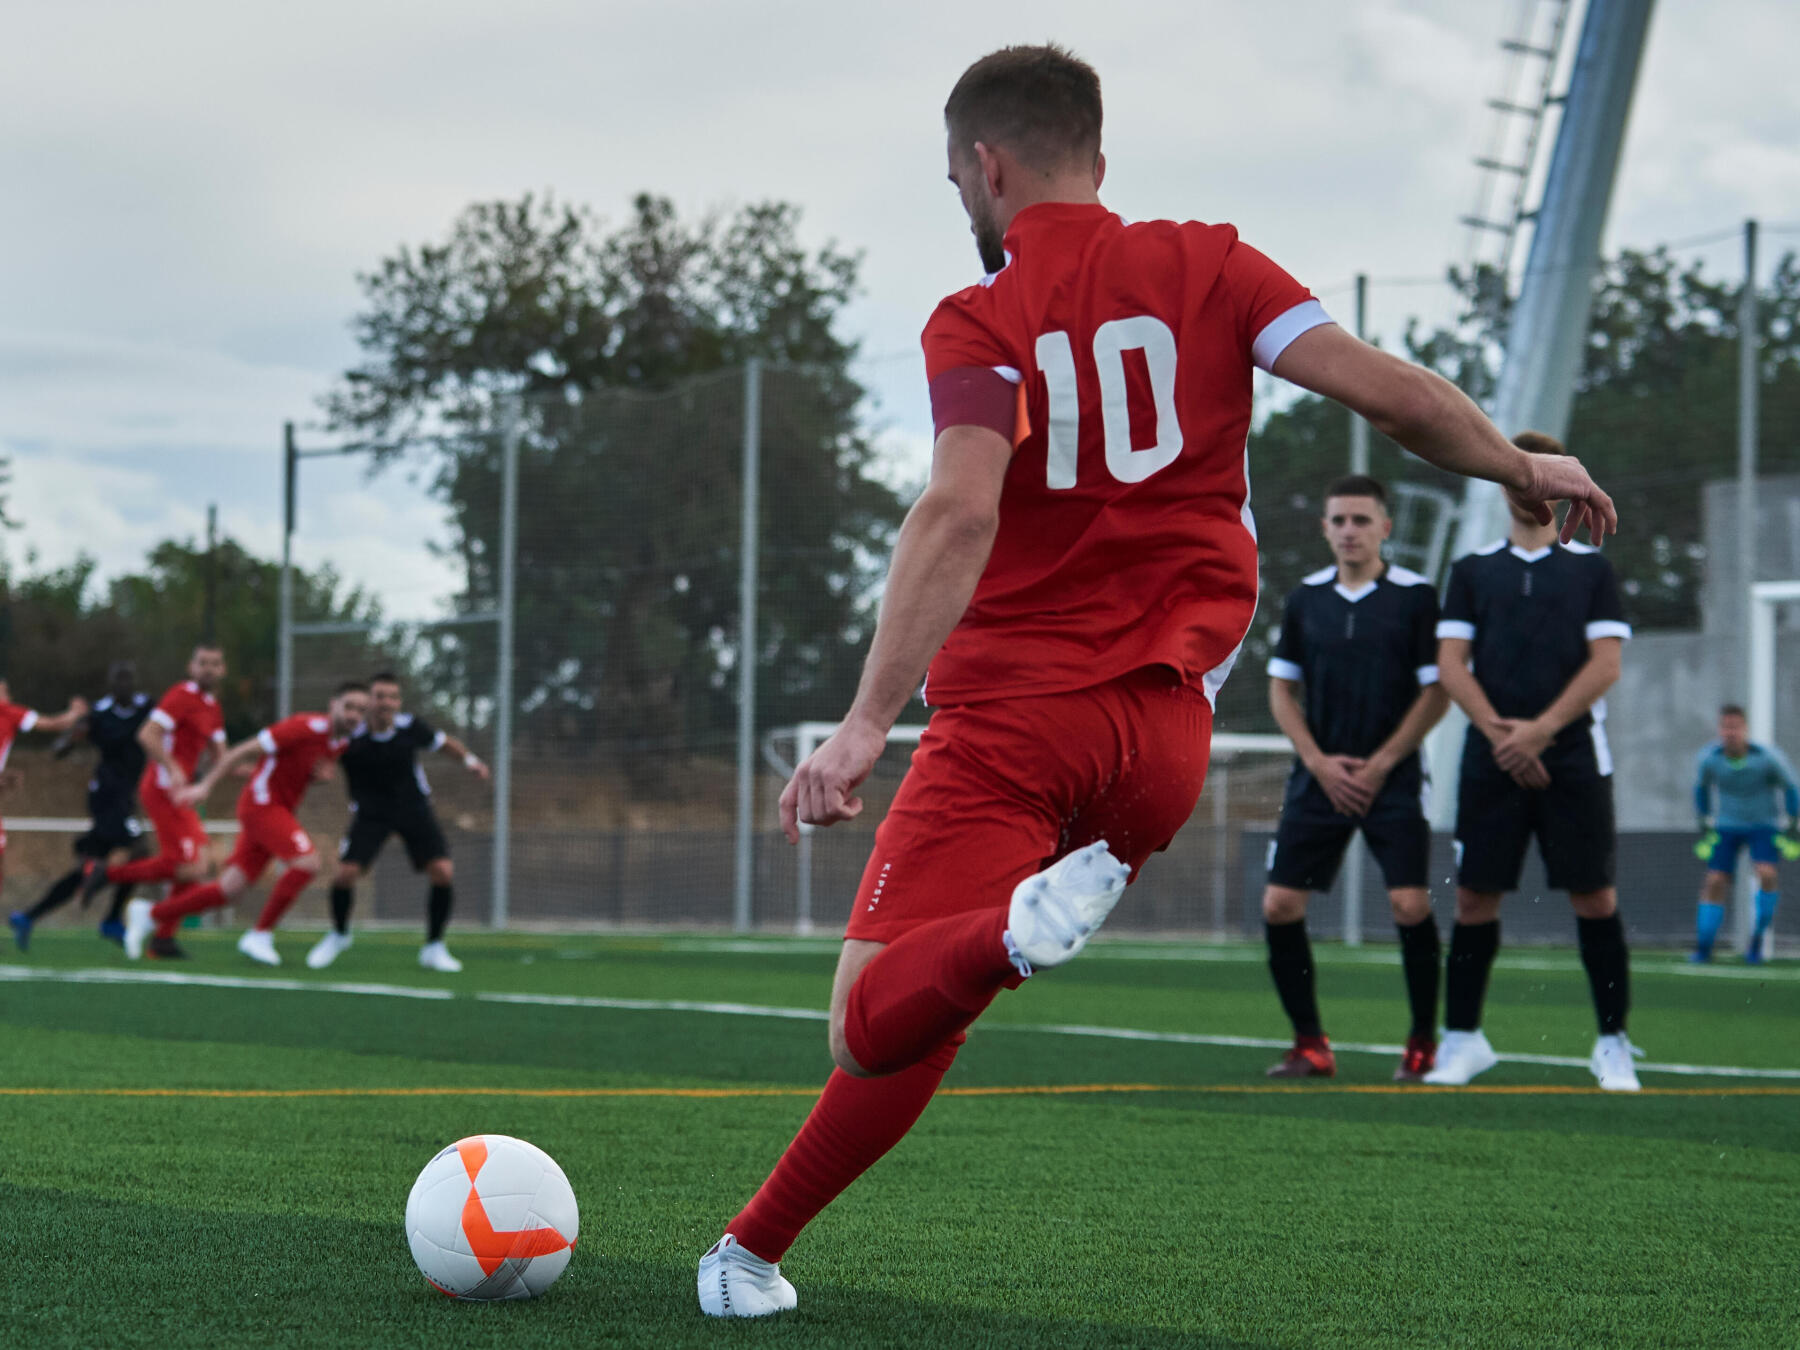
{"x": 1074, "y": 588}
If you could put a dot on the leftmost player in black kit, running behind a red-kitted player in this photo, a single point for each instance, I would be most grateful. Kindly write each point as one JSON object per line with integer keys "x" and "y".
{"x": 111, "y": 728}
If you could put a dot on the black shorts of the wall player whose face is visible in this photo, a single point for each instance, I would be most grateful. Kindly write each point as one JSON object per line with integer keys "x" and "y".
{"x": 1311, "y": 841}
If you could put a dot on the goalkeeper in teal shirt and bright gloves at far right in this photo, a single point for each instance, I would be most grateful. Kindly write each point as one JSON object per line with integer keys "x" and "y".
{"x": 1740, "y": 795}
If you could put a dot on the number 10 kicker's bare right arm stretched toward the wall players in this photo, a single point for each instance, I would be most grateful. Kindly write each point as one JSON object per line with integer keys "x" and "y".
{"x": 1437, "y": 422}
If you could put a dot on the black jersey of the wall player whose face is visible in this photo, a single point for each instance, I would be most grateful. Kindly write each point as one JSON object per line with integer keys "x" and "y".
{"x": 1363, "y": 656}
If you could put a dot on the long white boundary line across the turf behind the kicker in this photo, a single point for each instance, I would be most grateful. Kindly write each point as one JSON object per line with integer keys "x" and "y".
{"x": 107, "y": 976}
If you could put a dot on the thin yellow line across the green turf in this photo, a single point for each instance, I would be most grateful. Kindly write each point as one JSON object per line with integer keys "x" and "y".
{"x": 1052, "y": 1090}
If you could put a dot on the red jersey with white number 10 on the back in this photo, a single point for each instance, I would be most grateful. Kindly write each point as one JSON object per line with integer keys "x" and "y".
{"x": 1126, "y": 537}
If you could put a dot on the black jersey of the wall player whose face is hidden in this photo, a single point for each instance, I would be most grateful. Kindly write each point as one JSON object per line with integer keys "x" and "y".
{"x": 1529, "y": 618}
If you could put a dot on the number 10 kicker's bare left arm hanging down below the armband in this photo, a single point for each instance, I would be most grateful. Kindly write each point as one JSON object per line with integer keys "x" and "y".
{"x": 939, "y": 559}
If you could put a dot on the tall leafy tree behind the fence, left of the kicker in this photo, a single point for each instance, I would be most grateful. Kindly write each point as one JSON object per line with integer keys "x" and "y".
{"x": 625, "y": 350}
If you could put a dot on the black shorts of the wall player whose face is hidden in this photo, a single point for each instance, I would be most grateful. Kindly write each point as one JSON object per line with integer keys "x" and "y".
{"x": 1572, "y": 822}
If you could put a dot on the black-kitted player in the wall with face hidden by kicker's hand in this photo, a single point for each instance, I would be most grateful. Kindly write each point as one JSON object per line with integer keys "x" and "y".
{"x": 1542, "y": 625}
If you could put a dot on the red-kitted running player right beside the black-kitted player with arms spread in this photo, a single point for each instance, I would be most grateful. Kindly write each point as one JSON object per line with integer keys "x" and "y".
{"x": 292, "y": 755}
